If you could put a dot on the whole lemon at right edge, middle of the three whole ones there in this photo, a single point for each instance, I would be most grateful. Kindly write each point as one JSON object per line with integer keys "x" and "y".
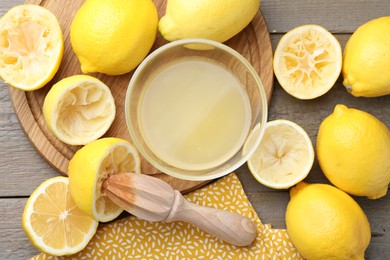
{"x": 353, "y": 149}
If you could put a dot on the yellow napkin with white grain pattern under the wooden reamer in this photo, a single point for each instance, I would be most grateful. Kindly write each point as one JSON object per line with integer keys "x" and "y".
{"x": 131, "y": 238}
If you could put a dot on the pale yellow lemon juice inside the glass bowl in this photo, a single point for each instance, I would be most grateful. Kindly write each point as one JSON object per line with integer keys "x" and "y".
{"x": 194, "y": 114}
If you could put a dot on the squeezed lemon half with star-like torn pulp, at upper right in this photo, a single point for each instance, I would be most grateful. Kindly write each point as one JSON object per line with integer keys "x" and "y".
{"x": 307, "y": 61}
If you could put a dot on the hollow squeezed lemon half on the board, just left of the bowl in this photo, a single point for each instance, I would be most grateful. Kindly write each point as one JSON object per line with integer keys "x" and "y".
{"x": 79, "y": 109}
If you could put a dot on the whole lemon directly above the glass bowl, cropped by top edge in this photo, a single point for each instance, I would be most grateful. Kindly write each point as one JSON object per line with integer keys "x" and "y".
{"x": 209, "y": 19}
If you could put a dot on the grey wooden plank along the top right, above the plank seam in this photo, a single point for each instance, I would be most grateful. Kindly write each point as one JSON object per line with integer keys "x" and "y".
{"x": 337, "y": 16}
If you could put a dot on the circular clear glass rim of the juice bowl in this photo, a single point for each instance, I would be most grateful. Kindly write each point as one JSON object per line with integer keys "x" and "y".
{"x": 252, "y": 71}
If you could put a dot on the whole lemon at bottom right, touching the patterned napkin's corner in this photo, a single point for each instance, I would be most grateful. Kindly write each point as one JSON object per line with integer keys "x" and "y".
{"x": 324, "y": 222}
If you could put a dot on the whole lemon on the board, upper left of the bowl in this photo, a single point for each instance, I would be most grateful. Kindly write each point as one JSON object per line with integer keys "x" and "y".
{"x": 113, "y": 37}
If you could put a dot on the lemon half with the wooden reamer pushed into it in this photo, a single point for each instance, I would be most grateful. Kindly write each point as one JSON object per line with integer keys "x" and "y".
{"x": 91, "y": 165}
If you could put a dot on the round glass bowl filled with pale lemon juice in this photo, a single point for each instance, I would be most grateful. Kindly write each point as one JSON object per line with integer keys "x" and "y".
{"x": 191, "y": 105}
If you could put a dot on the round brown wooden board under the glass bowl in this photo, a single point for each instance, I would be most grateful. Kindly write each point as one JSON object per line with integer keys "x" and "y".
{"x": 253, "y": 43}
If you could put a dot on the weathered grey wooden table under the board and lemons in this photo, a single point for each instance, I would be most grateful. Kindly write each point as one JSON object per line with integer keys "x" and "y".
{"x": 22, "y": 169}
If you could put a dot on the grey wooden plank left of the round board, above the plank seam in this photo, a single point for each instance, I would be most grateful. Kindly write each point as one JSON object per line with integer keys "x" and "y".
{"x": 22, "y": 169}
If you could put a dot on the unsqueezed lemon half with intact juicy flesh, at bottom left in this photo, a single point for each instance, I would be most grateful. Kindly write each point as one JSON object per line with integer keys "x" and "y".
{"x": 53, "y": 222}
